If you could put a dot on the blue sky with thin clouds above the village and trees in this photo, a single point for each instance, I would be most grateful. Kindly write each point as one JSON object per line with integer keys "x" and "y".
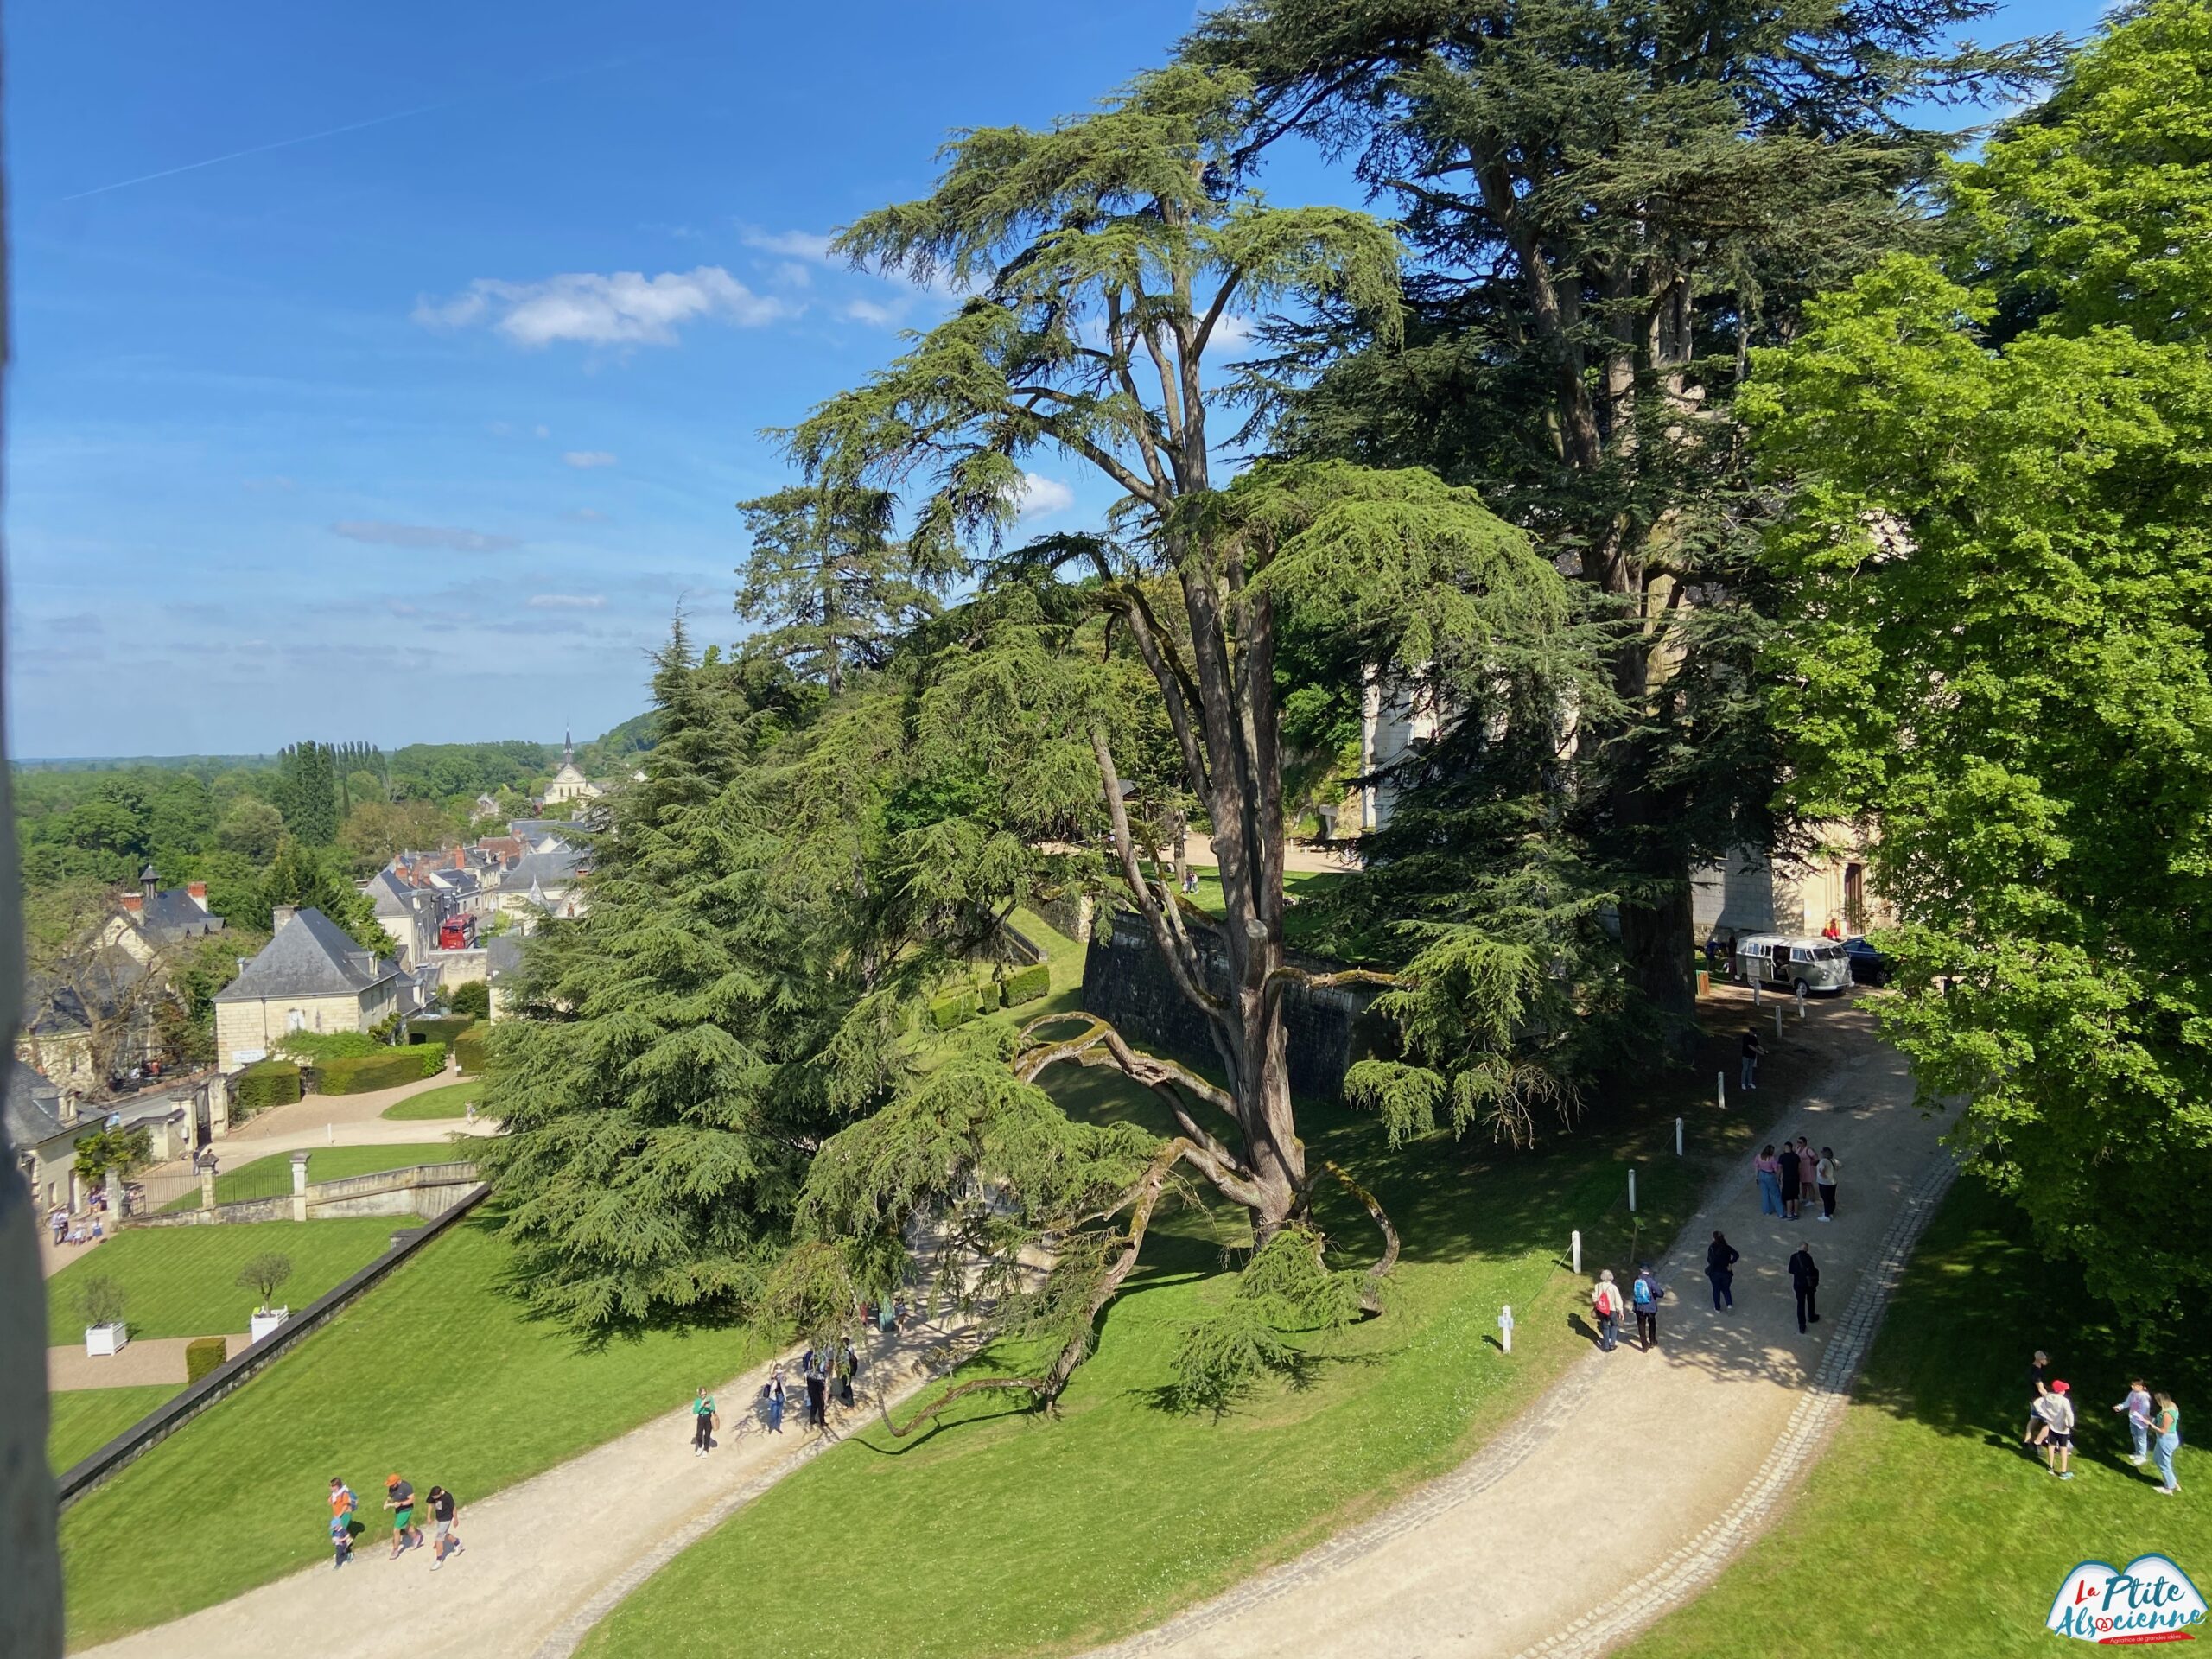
{"x": 421, "y": 406}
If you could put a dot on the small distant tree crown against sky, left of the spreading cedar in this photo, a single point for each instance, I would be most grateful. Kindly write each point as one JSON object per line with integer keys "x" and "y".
{"x": 839, "y": 587}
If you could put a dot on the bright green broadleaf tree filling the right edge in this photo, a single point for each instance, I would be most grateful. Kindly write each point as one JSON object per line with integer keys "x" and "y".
{"x": 2001, "y": 601}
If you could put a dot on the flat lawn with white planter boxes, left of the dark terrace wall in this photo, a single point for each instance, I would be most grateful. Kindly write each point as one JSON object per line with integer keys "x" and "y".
{"x": 182, "y": 1282}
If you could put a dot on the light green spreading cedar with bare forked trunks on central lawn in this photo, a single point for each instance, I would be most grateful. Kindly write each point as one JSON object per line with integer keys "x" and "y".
{"x": 1103, "y": 260}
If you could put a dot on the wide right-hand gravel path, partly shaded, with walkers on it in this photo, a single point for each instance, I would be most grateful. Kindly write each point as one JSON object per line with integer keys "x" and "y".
{"x": 1638, "y": 1477}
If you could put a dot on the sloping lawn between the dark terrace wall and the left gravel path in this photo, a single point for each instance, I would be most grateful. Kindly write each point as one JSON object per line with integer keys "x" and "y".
{"x": 437, "y": 1375}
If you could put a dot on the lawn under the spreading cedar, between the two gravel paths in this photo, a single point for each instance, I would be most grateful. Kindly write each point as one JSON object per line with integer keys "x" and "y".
{"x": 1138, "y": 1510}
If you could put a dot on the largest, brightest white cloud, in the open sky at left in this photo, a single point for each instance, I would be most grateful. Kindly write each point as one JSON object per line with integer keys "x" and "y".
{"x": 623, "y": 309}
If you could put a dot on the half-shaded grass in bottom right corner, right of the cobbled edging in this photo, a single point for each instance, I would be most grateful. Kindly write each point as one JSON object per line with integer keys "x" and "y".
{"x": 1926, "y": 1527}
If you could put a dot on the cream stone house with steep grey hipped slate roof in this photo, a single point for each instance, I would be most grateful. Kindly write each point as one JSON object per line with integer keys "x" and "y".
{"x": 311, "y": 977}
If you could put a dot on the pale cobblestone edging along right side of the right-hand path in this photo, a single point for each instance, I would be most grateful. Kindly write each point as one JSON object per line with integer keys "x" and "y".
{"x": 1687, "y": 1574}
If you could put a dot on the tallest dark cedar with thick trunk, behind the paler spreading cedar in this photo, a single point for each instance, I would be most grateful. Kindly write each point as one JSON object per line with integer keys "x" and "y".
{"x": 1611, "y": 207}
